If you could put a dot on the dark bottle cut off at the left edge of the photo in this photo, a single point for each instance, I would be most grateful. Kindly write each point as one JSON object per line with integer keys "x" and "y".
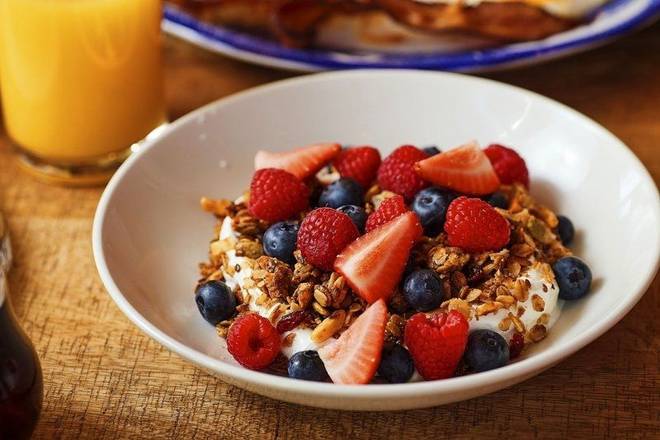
{"x": 21, "y": 386}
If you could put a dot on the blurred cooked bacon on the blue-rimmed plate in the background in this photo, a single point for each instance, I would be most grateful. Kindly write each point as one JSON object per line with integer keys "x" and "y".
{"x": 295, "y": 22}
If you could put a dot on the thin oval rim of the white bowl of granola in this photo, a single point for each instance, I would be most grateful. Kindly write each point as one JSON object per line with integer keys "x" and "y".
{"x": 521, "y": 369}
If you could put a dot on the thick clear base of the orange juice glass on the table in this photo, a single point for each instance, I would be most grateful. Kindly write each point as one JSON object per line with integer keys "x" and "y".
{"x": 94, "y": 172}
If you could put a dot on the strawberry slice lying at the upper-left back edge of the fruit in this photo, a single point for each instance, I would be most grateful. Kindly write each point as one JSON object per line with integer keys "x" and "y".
{"x": 301, "y": 162}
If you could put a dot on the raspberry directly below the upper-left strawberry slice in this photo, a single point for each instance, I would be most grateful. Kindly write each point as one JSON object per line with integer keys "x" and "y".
{"x": 277, "y": 195}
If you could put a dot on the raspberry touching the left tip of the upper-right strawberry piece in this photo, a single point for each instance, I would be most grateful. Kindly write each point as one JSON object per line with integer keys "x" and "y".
{"x": 397, "y": 173}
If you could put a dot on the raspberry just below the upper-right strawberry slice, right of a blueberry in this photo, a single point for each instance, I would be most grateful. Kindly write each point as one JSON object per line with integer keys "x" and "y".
{"x": 474, "y": 226}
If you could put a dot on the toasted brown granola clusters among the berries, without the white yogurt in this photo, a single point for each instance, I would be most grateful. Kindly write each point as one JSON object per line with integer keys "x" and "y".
{"x": 474, "y": 284}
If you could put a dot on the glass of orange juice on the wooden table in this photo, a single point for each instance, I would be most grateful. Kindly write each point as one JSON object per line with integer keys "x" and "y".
{"x": 81, "y": 83}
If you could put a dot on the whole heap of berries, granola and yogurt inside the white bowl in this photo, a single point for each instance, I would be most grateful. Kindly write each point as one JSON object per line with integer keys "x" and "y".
{"x": 339, "y": 266}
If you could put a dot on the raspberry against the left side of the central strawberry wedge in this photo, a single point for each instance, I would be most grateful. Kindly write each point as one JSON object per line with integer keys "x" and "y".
{"x": 323, "y": 234}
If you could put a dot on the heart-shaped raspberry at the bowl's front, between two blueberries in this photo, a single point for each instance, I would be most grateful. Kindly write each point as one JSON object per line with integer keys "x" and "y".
{"x": 436, "y": 343}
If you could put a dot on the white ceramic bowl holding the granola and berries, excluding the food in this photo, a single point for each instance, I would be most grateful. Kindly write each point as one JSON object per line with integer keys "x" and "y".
{"x": 149, "y": 233}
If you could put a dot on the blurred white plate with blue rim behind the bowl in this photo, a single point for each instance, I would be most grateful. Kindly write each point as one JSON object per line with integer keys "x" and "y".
{"x": 613, "y": 20}
